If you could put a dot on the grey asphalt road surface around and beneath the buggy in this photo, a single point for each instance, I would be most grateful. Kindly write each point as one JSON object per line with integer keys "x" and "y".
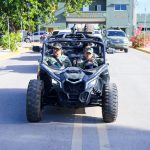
{"x": 63, "y": 129}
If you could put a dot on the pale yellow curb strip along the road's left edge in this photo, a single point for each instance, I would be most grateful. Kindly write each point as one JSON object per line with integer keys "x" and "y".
{"x": 13, "y": 54}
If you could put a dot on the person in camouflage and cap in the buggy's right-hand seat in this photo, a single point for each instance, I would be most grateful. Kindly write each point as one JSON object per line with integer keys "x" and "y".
{"x": 90, "y": 61}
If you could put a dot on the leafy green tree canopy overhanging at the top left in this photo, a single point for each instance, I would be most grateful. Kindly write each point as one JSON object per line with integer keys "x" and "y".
{"x": 26, "y": 13}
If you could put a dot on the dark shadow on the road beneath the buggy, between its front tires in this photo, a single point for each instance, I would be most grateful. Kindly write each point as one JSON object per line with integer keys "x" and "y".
{"x": 66, "y": 115}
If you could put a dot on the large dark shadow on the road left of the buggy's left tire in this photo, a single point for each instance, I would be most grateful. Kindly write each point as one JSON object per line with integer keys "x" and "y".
{"x": 12, "y": 106}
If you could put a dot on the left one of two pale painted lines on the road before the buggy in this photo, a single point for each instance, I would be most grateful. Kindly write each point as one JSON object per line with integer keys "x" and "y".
{"x": 77, "y": 134}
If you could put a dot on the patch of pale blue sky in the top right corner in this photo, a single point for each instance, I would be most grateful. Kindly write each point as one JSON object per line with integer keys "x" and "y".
{"x": 142, "y": 4}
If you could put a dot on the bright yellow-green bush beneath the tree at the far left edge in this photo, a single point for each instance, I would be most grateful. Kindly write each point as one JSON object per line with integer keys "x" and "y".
{"x": 14, "y": 39}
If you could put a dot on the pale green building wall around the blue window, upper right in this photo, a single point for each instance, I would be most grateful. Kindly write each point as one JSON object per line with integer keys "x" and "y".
{"x": 123, "y": 19}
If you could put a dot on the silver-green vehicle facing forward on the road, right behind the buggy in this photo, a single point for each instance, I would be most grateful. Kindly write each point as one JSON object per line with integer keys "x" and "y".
{"x": 116, "y": 39}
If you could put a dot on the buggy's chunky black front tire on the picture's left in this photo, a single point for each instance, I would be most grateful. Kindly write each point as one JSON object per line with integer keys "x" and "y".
{"x": 34, "y": 100}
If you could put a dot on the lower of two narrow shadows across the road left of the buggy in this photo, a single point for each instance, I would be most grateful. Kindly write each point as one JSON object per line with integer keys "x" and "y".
{"x": 20, "y": 68}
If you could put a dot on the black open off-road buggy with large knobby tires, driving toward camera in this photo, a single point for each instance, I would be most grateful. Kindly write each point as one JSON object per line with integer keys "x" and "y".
{"x": 72, "y": 87}
